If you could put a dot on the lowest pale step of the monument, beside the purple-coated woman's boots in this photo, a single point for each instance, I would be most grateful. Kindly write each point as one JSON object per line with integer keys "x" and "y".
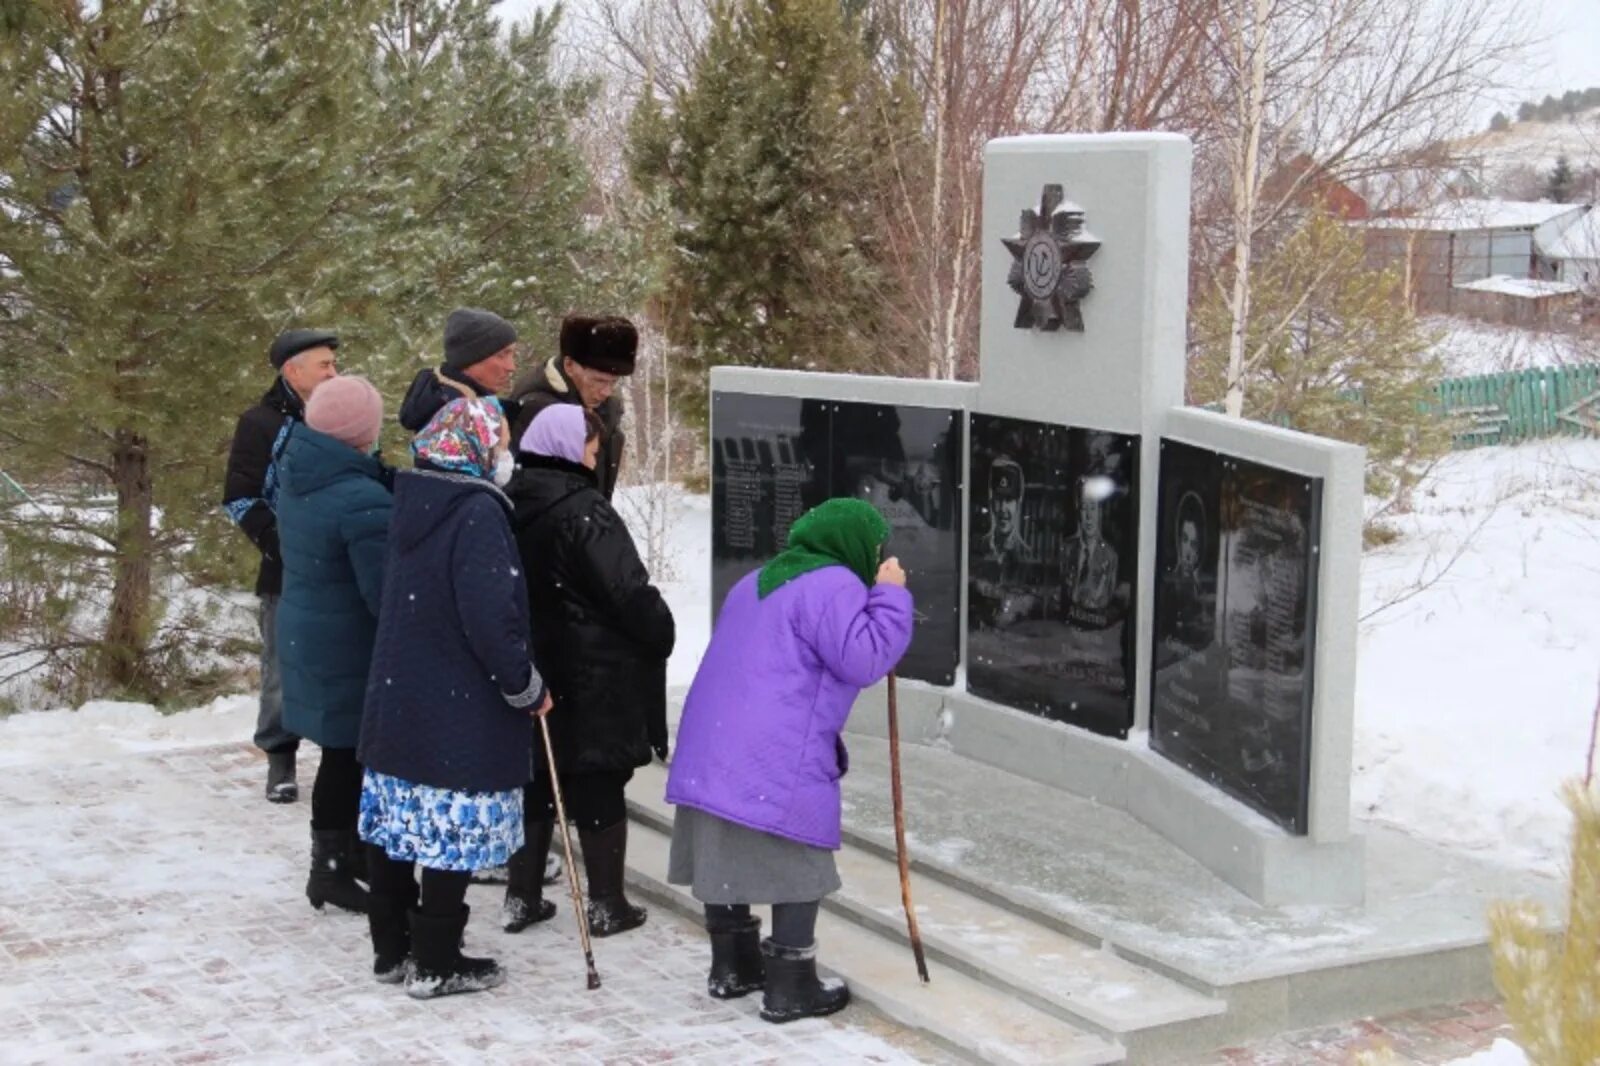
{"x": 972, "y": 1019}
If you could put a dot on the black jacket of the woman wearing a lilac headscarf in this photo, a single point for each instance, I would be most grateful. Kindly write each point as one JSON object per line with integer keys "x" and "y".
{"x": 601, "y": 631}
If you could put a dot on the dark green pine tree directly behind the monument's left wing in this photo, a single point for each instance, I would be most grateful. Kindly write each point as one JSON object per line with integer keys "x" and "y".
{"x": 777, "y": 164}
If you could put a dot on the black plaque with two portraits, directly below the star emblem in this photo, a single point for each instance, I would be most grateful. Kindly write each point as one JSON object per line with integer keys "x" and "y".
{"x": 1052, "y": 569}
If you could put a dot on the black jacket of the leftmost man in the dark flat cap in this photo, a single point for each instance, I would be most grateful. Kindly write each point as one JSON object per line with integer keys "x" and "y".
{"x": 250, "y": 491}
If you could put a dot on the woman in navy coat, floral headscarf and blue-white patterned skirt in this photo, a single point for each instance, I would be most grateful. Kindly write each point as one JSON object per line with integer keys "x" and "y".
{"x": 447, "y": 732}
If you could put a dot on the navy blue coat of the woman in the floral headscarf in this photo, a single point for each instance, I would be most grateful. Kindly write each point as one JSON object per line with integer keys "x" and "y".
{"x": 452, "y": 686}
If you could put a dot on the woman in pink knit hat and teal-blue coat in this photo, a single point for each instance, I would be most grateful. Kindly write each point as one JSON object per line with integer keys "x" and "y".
{"x": 334, "y": 529}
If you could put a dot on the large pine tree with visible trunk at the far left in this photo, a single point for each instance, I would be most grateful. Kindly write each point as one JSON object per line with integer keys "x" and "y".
{"x": 167, "y": 174}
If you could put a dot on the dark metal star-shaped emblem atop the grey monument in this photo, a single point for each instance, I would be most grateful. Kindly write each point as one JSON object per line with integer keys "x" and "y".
{"x": 1049, "y": 270}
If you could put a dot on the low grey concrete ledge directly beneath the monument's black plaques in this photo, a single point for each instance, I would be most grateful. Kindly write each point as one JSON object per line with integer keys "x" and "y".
{"x": 1239, "y": 846}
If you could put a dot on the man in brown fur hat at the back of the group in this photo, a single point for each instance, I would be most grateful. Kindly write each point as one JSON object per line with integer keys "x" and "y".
{"x": 596, "y": 355}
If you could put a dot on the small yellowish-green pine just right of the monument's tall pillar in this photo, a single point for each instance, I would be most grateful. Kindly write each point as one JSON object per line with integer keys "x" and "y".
{"x": 1332, "y": 350}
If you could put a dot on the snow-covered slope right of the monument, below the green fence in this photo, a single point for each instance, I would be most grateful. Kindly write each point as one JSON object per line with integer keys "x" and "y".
{"x": 1476, "y": 694}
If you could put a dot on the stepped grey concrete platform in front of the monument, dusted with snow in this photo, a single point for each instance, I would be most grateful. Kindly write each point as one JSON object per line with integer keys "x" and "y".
{"x": 1065, "y": 931}
